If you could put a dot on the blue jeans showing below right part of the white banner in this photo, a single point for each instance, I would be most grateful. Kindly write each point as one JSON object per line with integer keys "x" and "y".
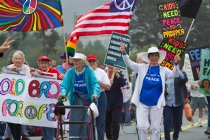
{"x": 48, "y": 133}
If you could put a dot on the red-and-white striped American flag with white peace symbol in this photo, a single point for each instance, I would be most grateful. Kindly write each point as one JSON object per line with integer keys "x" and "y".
{"x": 111, "y": 17}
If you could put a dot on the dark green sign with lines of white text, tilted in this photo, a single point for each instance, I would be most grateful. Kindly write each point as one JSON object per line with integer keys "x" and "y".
{"x": 113, "y": 56}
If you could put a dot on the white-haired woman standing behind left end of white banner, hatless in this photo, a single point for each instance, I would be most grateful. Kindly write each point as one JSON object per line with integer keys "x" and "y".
{"x": 18, "y": 66}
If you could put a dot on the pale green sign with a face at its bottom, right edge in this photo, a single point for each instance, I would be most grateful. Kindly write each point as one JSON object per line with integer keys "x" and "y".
{"x": 205, "y": 72}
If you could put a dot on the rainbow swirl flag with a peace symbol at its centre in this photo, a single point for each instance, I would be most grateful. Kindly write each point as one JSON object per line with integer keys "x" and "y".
{"x": 30, "y": 15}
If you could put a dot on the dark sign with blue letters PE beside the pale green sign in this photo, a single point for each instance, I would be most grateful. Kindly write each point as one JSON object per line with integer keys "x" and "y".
{"x": 195, "y": 57}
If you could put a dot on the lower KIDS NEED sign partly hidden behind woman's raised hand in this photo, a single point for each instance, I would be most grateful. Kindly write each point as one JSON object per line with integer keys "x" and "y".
{"x": 172, "y": 47}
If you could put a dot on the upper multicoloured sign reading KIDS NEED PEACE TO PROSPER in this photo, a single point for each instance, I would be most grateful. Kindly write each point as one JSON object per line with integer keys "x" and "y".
{"x": 170, "y": 19}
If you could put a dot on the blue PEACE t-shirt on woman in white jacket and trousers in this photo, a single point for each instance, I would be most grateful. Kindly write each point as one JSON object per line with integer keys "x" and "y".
{"x": 152, "y": 87}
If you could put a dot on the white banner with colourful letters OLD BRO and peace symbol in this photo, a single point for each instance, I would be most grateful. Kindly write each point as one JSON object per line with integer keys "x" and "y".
{"x": 28, "y": 101}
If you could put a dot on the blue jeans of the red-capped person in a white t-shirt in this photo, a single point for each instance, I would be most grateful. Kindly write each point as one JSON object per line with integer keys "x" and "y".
{"x": 100, "y": 120}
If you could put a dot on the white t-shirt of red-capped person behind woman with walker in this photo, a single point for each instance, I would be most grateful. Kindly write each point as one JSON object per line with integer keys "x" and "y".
{"x": 102, "y": 76}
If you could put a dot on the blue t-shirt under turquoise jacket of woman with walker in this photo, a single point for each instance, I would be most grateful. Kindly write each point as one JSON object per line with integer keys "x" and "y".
{"x": 80, "y": 84}
